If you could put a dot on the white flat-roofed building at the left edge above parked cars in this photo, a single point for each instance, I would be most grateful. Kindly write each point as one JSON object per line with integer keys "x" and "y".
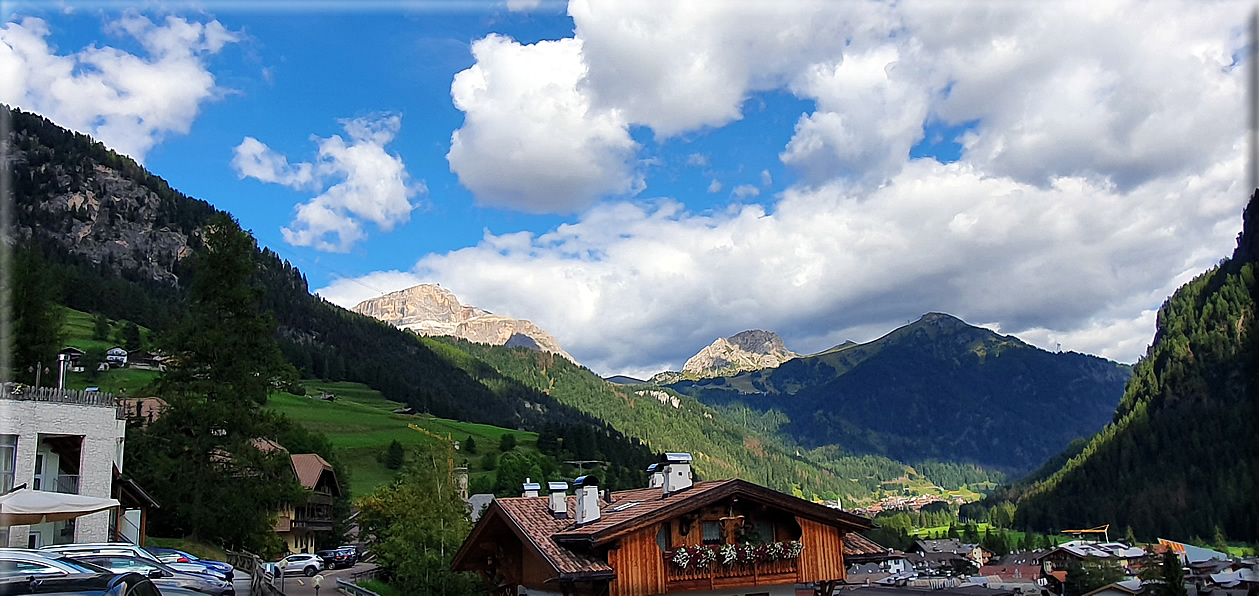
{"x": 64, "y": 442}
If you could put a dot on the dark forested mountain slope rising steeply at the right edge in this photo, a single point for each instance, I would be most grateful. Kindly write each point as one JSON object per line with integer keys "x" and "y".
{"x": 1180, "y": 457}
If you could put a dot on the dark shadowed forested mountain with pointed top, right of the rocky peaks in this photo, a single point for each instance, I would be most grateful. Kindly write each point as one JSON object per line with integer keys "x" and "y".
{"x": 937, "y": 389}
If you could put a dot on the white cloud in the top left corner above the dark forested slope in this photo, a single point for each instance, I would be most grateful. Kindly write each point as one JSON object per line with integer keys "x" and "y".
{"x": 129, "y": 103}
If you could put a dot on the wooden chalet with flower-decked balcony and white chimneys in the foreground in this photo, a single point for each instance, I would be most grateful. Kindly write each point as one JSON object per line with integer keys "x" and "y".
{"x": 738, "y": 539}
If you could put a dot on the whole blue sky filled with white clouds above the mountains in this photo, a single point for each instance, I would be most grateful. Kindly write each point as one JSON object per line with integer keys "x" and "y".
{"x": 641, "y": 178}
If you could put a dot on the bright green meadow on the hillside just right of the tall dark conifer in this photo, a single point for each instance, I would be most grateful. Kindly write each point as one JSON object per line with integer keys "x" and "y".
{"x": 361, "y": 424}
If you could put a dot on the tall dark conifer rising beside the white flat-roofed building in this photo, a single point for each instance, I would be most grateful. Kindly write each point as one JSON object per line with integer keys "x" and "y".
{"x": 201, "y": 458}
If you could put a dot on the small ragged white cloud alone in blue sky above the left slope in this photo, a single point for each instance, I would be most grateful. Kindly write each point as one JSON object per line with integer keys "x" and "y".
{"x": 361, "y": 182}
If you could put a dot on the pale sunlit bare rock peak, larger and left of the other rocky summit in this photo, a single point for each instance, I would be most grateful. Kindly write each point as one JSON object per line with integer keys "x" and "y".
{"x": 430, "y": 309}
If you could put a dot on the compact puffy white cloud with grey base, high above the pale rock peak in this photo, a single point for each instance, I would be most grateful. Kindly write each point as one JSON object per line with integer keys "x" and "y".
{"x": 532, "y": 140}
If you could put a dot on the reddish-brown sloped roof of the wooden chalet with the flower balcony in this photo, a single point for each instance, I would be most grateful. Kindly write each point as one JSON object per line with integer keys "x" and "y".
{"x": 629, "y": 511}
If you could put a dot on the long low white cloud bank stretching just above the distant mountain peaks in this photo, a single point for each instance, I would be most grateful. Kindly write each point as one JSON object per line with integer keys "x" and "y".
{"x": 634, "y": 284}
